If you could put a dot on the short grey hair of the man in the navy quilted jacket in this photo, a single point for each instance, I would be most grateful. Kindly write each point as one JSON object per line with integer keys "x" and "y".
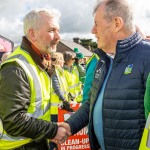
{"x": 118, "y": 8}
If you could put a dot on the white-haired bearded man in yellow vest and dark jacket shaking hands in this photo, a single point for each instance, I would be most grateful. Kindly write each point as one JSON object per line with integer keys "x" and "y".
{"x": 25, "y": 86}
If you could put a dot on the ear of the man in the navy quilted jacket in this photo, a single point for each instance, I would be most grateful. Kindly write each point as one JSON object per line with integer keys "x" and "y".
{"x": 118, "y": 24}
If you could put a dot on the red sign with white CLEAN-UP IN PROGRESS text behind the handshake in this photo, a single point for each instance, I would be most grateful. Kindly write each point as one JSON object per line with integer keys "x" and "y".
{"x": 79, "y": 140}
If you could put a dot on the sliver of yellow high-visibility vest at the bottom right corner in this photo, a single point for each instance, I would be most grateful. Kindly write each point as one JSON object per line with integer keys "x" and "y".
{"x": 145, "y": 141}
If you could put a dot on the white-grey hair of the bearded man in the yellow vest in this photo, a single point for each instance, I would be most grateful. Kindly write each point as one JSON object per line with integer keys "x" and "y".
{"x": 34, "y": 18}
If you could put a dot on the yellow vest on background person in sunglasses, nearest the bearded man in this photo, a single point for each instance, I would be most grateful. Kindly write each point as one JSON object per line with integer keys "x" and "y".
{"x": 64, "y": 88}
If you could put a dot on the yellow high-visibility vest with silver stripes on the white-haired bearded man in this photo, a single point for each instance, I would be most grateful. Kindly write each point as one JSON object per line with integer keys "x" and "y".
{"x": 40, "y": 96}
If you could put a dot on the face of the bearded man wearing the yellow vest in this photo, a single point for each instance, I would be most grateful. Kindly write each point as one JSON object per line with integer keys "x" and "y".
{"x": 47, "y": 36}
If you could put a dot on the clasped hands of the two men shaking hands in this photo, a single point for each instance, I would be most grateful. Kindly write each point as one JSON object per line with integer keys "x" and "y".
{"x": 62, "y": 133}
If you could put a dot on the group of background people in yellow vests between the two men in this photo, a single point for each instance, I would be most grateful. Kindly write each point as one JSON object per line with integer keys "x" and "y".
{"x": 66, "y": 84}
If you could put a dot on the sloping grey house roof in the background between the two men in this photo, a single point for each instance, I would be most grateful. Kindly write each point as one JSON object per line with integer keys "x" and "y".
{"x": 73, "y": 45}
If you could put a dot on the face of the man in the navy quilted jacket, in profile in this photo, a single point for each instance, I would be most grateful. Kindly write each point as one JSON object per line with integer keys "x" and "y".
{"x": 103, "y": 31}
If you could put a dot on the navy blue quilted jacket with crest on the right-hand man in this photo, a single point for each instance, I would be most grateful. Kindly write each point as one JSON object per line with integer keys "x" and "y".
{"x": 123, "y": 101}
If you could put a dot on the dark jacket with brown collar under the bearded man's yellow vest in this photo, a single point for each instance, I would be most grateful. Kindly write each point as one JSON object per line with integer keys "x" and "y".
{"x": 15, "y": 99}
